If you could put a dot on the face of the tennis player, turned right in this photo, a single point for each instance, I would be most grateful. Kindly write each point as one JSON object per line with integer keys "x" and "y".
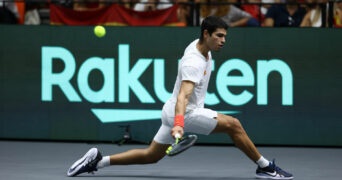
{"x": 217, "y": 39}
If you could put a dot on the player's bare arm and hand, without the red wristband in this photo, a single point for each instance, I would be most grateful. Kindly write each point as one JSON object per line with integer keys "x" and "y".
{"x": 184, "y": 94}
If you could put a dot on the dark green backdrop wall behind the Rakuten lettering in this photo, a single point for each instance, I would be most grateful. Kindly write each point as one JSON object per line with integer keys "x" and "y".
{"x": 313, "y": 55}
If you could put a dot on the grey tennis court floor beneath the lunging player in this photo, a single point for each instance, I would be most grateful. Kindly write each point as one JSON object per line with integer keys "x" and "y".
{"x": 29, "y": 160}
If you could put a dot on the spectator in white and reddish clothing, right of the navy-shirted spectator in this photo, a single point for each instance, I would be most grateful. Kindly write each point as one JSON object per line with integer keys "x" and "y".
{"x": 313, "y": 17}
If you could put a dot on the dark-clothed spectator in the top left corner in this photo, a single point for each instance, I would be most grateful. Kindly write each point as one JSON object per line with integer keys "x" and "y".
{"x": 8, "y": 13}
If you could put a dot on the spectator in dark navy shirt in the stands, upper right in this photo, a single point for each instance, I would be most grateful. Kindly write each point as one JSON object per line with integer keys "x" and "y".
{"x": 284, "y": 15}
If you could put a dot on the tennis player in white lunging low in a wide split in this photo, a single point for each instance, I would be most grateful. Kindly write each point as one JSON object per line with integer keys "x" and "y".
{"x": 185, "y": 112}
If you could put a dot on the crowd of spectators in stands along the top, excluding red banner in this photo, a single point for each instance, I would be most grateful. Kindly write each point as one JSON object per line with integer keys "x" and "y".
{"x": 236, "y": 13}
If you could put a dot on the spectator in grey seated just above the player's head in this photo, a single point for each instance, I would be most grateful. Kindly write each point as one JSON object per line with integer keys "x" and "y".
{"x": 232, "y": 15}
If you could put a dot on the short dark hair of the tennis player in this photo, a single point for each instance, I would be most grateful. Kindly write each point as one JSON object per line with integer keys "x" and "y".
{"x": 211, "y": 23}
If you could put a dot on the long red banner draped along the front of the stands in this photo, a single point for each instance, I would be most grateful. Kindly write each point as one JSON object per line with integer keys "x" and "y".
{"x": 115, "y": 15}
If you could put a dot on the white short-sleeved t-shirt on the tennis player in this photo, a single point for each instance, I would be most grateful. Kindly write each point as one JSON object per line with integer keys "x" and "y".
{"x": 196, "y": 68}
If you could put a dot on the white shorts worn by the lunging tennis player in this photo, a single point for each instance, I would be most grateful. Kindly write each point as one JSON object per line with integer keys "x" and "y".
{"x": 199, "y": 121}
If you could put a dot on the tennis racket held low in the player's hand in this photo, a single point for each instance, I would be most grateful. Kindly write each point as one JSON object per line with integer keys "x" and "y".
{"x": 181, "y": 144}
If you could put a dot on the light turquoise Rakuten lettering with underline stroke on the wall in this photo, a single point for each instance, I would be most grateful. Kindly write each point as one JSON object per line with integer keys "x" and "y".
{"x": 128, "y": 81}
